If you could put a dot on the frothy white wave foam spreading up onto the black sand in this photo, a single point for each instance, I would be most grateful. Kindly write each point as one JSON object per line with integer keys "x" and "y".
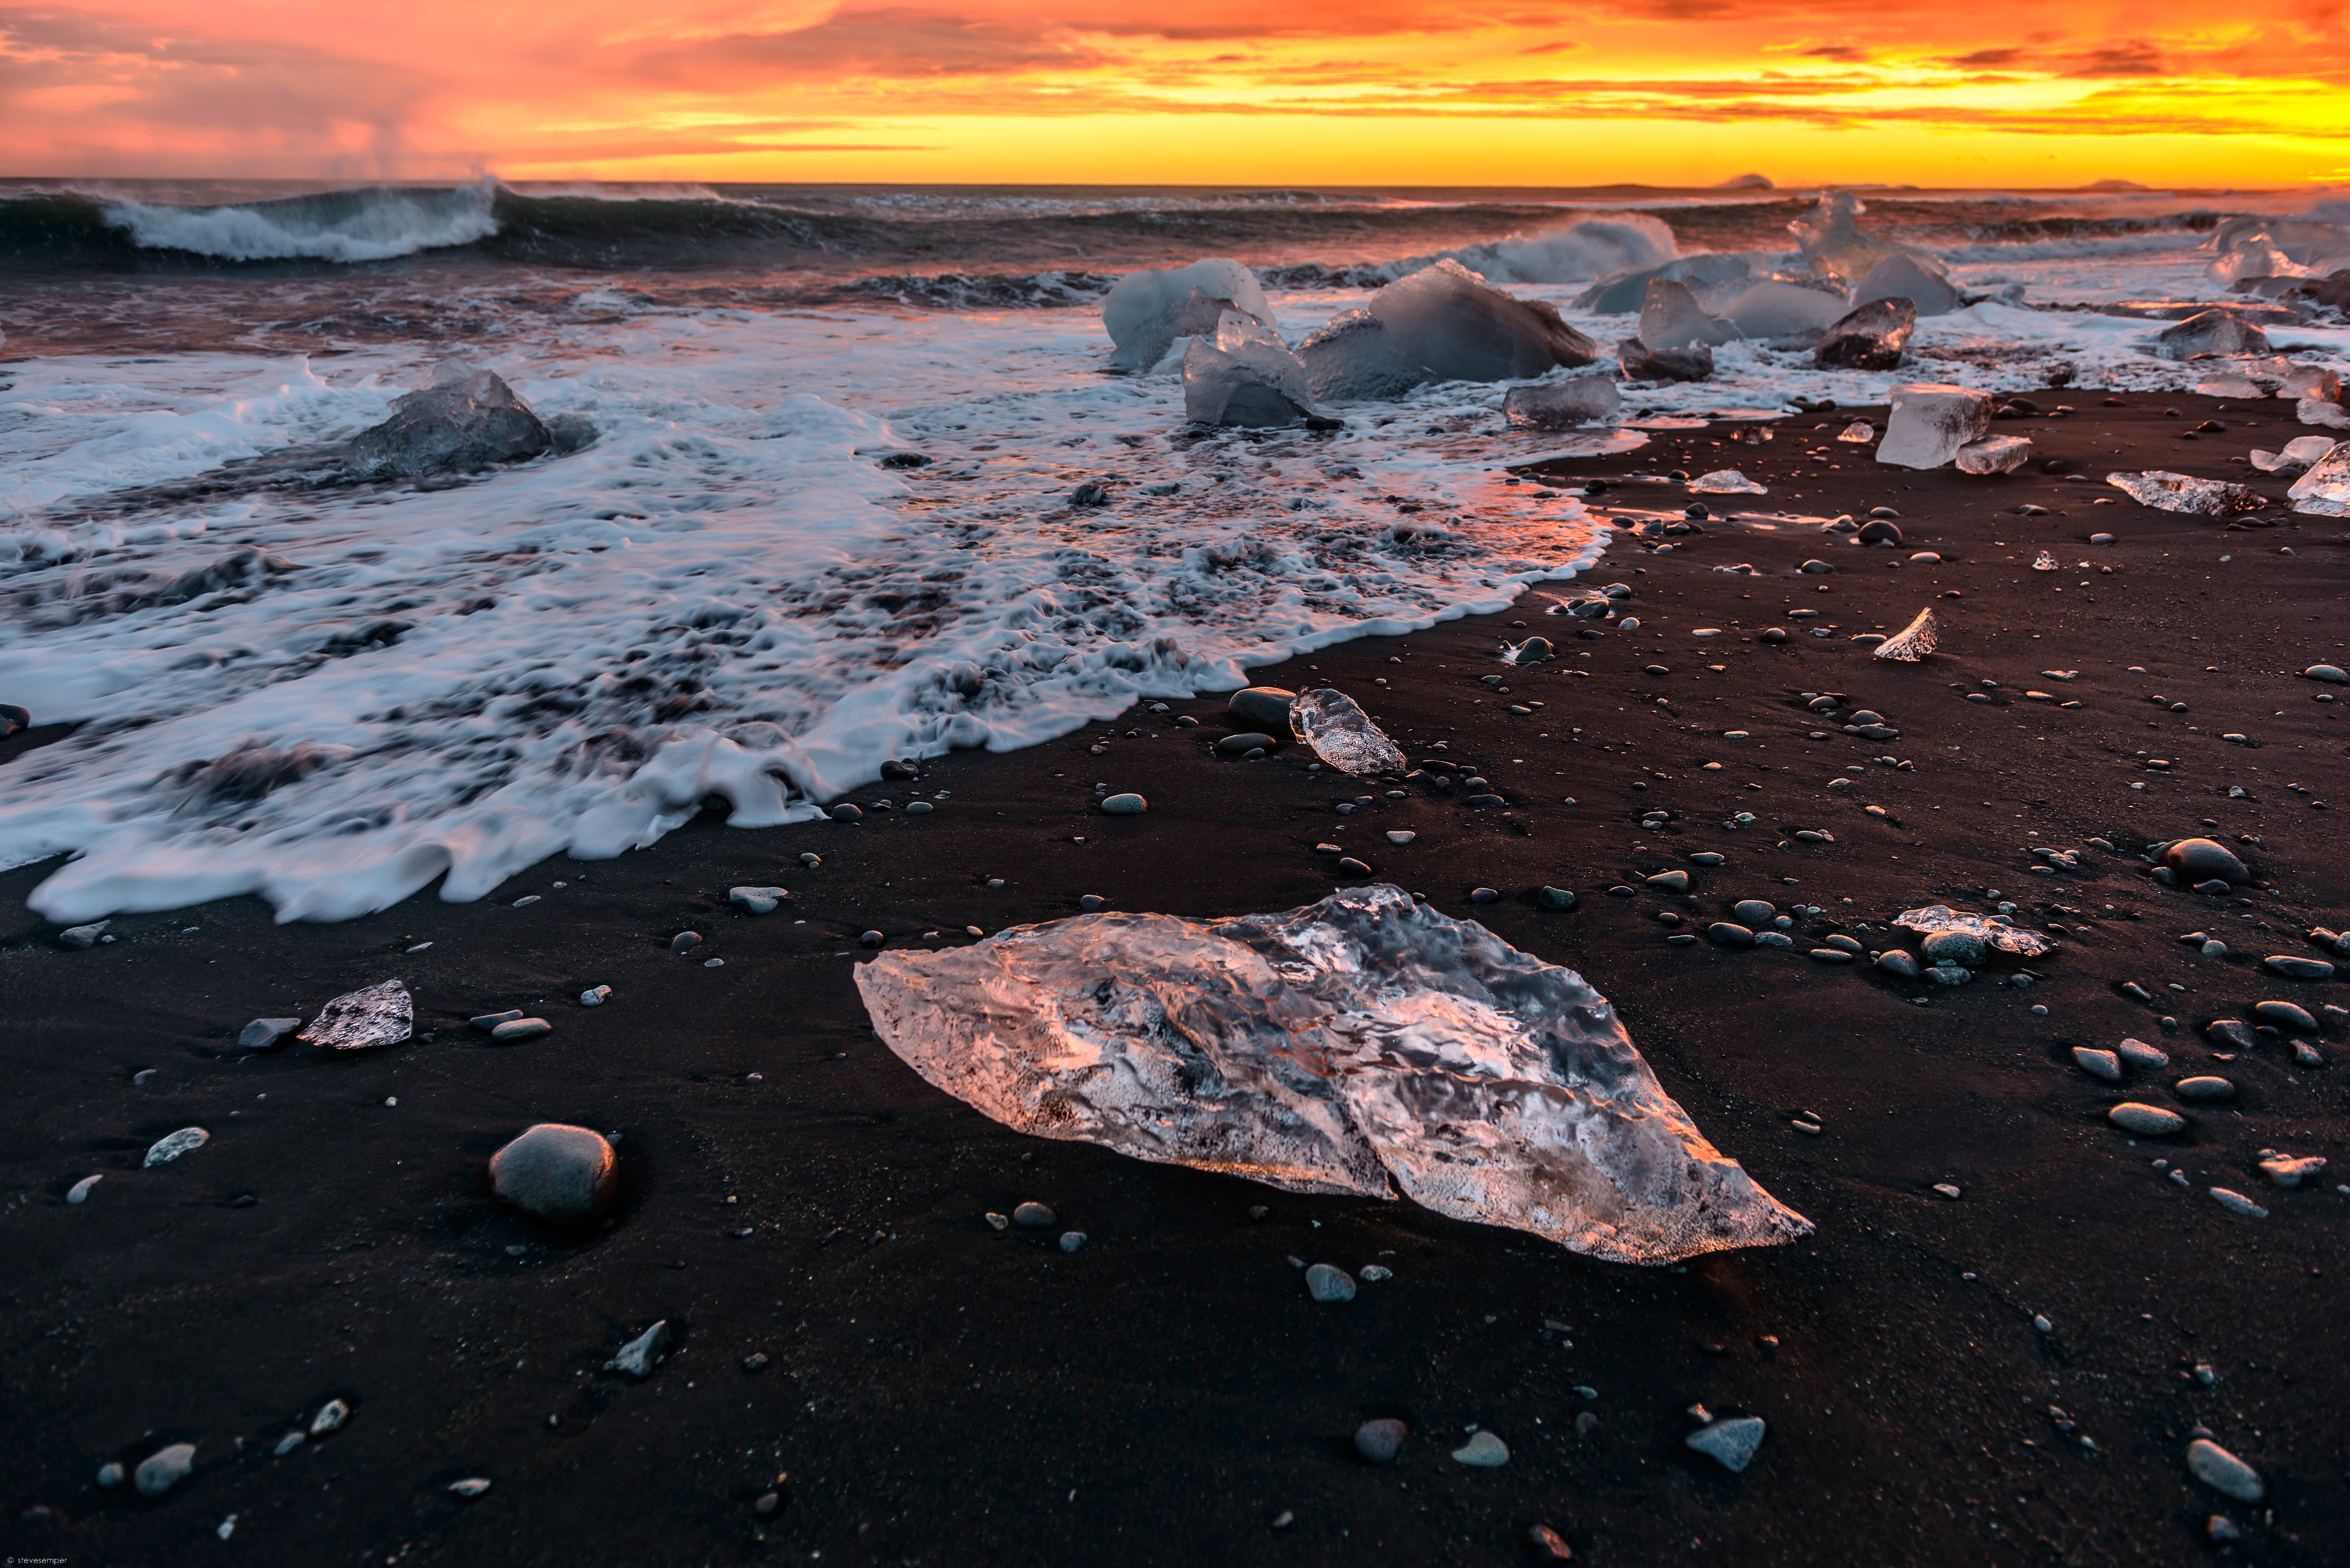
{"x": 727, "y": 596}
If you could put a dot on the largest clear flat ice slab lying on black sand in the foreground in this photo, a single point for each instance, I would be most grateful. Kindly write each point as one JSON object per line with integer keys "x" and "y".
{"x": 1331, "y": 1050}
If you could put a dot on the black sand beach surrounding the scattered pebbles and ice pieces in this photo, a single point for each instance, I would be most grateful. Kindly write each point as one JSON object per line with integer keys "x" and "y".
{"x": 939, "y": 1393}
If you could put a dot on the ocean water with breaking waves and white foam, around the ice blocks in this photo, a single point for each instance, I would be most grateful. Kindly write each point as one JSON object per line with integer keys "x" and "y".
{"x": 335, "y": 695}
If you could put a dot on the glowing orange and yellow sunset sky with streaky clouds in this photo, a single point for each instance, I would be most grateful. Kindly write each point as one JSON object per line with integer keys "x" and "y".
{"x": 1221, "y": 93}
